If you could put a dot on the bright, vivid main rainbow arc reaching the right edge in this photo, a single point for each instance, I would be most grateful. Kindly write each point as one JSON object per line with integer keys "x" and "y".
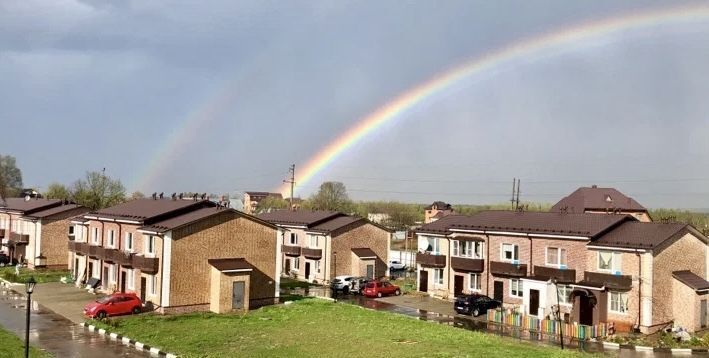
{"x": 520, "y": 50}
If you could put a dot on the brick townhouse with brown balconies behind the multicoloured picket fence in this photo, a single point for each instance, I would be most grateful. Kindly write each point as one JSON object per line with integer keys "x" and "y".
{"x": 606, "y": 268}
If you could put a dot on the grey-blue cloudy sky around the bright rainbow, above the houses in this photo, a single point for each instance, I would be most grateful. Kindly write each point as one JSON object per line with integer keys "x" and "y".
{"x": 222, "y": 96}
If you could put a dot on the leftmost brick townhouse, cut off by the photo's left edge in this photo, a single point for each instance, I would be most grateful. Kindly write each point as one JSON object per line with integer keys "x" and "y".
{"x": 34, "y": 230}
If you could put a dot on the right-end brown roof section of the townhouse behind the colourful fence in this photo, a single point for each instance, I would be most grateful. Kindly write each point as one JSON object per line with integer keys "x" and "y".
{"x": 641, "y": 235}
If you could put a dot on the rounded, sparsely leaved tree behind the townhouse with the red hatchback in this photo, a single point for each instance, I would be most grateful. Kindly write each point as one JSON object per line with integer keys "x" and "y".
{"x": 98, "y": 191}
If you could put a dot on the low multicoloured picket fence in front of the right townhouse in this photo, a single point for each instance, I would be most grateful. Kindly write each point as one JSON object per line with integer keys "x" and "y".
{"x": 546, "y": 326}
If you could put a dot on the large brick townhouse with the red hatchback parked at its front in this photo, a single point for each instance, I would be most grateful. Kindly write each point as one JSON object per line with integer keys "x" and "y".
{"x": 179, "y": 255}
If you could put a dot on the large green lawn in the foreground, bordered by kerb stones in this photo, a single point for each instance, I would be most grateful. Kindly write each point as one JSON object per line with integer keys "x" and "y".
{"x": 316, "y": 328}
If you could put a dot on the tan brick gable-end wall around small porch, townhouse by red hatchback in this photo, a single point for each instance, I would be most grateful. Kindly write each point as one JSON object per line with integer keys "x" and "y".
{"x": 228, "y": 235}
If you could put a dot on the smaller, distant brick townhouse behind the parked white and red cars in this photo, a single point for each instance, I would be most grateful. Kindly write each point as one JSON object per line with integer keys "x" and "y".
{"x": 319, "y": 245}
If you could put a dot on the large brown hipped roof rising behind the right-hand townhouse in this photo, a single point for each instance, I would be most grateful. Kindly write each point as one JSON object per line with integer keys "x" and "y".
{"x": 595, "y": 198}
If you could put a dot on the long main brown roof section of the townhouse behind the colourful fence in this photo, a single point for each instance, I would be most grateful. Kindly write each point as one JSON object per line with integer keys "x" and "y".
{"x": 589, "y": 225}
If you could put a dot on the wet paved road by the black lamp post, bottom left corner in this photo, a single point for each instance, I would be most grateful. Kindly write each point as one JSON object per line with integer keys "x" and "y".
{"x": 56, "y": 334}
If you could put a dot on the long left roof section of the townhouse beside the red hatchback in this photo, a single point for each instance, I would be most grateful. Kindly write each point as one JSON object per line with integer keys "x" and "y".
{"x": 150, "y": 209}
